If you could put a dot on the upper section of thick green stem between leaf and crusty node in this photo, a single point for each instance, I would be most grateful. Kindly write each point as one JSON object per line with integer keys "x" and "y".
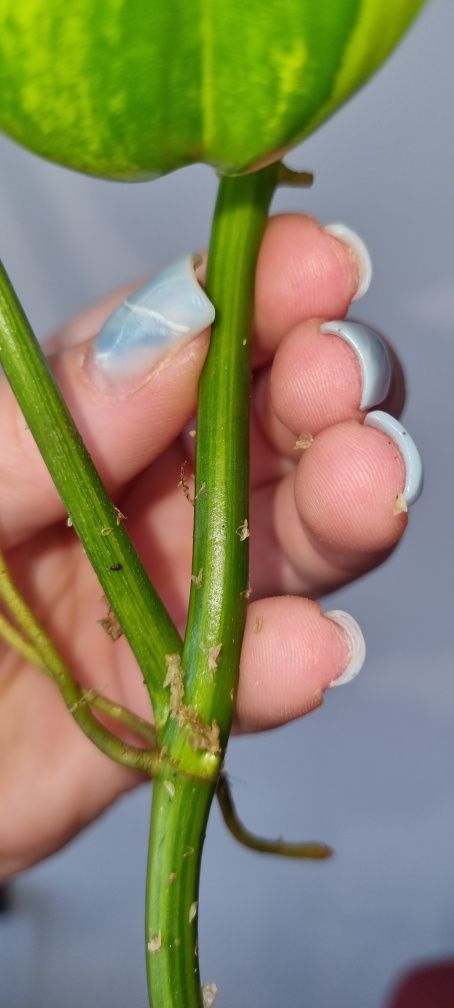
{"x": 221, "y": 531}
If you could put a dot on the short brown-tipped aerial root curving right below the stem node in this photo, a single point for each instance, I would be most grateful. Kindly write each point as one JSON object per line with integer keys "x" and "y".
{"x": 312, "y": 851}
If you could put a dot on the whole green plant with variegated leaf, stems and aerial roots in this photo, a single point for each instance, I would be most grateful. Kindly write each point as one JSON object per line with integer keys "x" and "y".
{"x": 130, "y": 90}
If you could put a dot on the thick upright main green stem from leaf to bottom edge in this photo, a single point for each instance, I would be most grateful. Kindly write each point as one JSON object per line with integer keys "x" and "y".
{"x": 218, "y": 598}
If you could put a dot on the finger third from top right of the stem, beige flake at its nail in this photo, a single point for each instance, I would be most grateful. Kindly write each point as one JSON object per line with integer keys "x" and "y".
{"x": 338, "y": 517}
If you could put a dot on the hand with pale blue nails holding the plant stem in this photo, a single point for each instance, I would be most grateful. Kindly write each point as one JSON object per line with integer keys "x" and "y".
{"x": 319, "y": 519}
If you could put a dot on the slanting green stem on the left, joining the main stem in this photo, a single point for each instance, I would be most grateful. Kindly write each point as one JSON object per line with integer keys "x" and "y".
{"x": 141, "y": 612}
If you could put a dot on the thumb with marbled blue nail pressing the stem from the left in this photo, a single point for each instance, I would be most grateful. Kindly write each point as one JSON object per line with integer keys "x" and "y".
{"x": 131, "y": 391}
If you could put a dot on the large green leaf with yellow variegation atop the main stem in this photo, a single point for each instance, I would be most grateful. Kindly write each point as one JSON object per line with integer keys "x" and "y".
{"x": 132, "y": 89}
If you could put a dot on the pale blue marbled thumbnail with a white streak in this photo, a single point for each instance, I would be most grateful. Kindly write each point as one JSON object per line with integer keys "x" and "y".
{"x": 158, "y": 319}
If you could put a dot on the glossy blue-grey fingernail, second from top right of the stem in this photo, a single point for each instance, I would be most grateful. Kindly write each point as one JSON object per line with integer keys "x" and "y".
{"x": 373, "y": 356}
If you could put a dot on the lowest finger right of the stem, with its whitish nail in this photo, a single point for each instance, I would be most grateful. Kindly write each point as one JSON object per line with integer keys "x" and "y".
{"x": 292, "y": 654}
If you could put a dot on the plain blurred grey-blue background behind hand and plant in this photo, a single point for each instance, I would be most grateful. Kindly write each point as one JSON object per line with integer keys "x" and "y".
{"x": 372, "y": 772}
